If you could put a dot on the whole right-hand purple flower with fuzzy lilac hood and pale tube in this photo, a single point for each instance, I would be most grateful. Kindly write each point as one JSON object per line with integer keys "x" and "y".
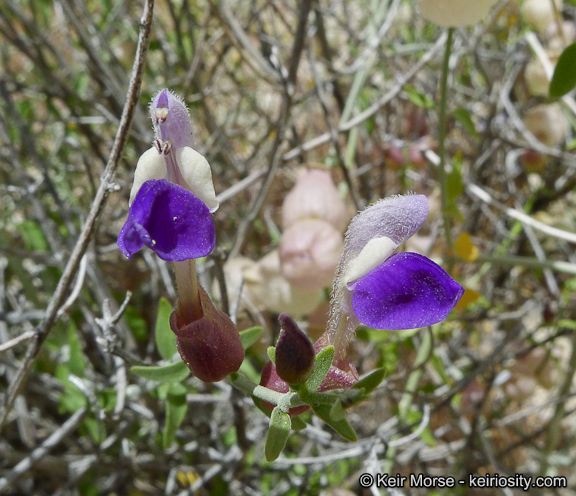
{"x": 381, "y": 289}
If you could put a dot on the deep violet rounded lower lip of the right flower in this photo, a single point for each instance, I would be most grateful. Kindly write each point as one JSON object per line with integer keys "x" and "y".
{"x": 407, "y": 291}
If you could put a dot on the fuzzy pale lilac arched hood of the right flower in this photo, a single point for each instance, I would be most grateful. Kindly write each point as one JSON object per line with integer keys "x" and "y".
{"x": 397, "y": 218}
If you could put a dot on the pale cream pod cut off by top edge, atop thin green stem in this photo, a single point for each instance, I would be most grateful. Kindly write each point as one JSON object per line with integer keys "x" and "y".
{"x": 454, "y": 13}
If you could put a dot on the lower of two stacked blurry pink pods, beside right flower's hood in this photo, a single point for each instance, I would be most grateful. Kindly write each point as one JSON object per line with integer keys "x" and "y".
{"x": 309, "y": 253}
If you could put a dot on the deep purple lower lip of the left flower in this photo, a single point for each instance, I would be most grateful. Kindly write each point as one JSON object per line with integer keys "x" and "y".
{"x": 170, "y": 220}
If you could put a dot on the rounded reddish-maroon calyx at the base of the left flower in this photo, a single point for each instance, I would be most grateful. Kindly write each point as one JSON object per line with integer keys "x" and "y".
{"x": 210, "y": 346}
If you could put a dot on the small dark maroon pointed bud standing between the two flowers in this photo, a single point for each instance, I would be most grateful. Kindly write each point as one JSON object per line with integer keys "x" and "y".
{"x": 294, "y": 353}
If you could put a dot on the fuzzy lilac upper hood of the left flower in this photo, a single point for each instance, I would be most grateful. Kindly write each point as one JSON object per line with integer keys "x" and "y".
{"x": 176, "y": 125}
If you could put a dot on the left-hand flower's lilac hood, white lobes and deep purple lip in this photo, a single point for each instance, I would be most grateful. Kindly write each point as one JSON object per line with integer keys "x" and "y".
{"x": 172, "y": 194}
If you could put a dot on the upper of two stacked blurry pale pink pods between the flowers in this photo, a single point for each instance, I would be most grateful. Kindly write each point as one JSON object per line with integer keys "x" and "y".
{"x": 315, "y": 196}
